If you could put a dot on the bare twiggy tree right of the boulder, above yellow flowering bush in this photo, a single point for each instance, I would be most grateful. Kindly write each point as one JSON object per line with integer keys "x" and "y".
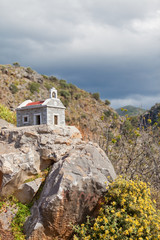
{"x": 135, "y": 150}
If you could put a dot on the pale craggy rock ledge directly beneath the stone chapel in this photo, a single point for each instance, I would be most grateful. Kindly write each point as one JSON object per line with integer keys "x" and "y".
{"x": 27, "y": 151}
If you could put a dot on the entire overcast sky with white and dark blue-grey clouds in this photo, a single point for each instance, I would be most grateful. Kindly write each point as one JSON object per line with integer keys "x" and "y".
{"x": 106, "y": 46}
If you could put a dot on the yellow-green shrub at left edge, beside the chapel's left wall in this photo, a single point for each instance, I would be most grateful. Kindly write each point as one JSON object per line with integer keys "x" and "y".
{"x": 7, "y": 115}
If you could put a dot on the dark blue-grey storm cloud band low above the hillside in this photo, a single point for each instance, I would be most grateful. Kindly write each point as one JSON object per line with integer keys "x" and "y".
{"x": 114, "y": 81}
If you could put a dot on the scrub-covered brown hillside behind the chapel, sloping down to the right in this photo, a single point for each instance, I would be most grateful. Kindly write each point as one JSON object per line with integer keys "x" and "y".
{"x": 126, "y": 145}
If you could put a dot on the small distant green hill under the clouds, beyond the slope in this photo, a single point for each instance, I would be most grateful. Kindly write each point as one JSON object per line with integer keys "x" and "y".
{"x": 130, "y": 111}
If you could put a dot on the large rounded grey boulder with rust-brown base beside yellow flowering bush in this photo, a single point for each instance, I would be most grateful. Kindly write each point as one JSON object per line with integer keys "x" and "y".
{"x": 73, "y": 190}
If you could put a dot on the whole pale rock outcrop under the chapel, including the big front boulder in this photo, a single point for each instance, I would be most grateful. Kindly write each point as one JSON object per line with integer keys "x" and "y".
{"x": 74, "y": 186}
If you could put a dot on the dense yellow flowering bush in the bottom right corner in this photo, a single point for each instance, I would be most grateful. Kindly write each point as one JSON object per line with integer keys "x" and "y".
{"x": 128, "y": 212}
